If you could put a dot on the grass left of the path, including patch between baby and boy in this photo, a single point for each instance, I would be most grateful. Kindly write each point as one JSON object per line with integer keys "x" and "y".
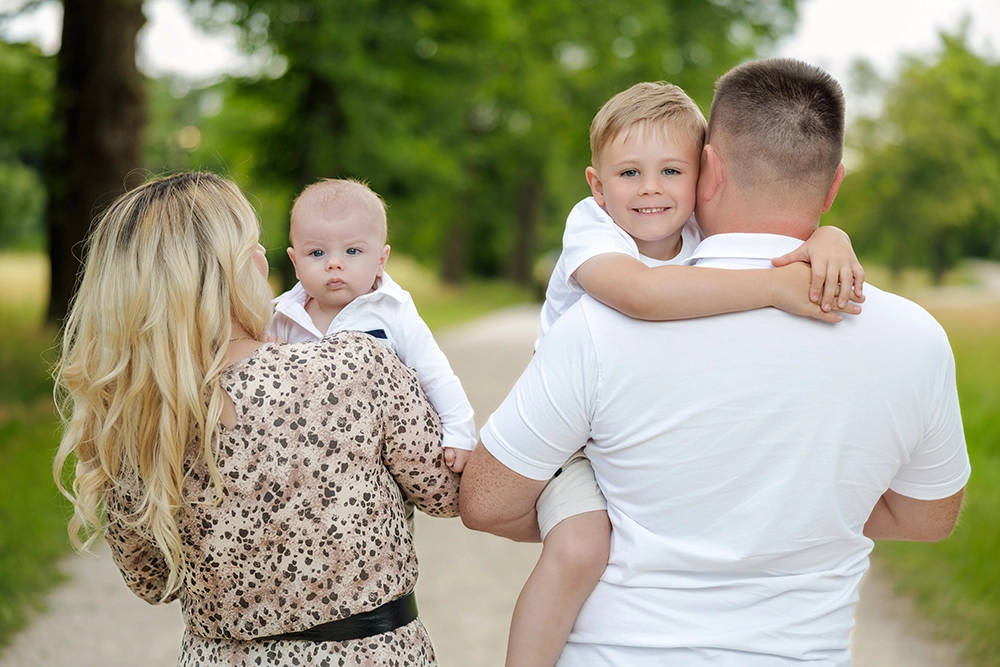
{"x": 33, "y": 515}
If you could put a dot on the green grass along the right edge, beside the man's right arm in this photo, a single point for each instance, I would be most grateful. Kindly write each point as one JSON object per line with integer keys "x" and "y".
{"x": 956, "y": 583}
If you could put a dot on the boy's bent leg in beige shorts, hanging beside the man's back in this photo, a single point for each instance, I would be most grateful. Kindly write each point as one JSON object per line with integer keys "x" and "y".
{"x": 576, "y": 539}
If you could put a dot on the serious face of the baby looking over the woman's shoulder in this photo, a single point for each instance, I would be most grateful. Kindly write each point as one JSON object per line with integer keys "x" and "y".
{"x": 337, "y": 257}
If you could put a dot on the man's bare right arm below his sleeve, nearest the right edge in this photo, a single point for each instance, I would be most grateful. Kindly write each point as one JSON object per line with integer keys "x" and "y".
{"x": 898, "y": 517}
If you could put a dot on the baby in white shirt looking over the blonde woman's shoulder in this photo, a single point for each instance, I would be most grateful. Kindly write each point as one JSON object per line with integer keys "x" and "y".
{"x": 337, "y": 233}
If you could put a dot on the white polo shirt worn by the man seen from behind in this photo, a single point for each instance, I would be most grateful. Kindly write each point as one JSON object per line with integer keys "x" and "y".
{"x": 740, "y": 455}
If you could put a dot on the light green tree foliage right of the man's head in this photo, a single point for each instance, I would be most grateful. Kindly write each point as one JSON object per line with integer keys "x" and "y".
{"x": 925, "y": 193}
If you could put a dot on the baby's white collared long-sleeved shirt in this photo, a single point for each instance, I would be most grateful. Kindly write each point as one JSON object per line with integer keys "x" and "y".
{"x": 389, "y": 314}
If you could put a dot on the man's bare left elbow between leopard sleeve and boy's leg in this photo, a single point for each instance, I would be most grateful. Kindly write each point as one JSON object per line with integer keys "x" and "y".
{"x": 495, "y": 499}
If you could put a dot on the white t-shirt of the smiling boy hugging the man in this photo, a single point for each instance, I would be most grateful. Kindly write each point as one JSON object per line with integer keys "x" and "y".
{"x": 590, "y": 232}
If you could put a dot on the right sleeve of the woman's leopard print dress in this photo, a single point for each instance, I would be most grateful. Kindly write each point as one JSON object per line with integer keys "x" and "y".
{"x": 412, "y": 449}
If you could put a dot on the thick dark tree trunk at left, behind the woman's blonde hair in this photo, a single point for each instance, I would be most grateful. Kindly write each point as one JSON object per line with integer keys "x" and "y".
{"x": 101, "y": 113}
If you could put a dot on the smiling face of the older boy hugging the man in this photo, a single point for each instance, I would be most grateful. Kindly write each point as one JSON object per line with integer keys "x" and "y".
{"x": 647, "y": 182}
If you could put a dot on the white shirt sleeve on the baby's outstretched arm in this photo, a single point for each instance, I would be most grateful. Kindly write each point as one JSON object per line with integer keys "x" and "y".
{"x": 418, "y": 350}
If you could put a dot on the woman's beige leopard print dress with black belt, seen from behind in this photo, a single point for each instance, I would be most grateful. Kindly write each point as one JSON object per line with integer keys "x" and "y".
{"x": 331, "y": 438}
